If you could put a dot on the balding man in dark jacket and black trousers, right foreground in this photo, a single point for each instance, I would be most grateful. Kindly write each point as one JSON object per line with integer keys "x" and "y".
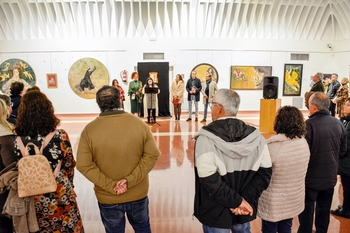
{"x": 326, "y": 137}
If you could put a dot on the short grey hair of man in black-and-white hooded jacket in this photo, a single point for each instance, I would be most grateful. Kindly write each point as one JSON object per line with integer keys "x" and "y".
{"x": 229, "y": 99}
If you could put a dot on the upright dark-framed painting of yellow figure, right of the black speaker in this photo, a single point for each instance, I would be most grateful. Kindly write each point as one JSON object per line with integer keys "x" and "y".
{"x": 292, "y": 79}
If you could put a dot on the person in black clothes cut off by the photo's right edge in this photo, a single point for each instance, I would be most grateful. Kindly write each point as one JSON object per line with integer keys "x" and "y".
{"x": 344, "y": 169}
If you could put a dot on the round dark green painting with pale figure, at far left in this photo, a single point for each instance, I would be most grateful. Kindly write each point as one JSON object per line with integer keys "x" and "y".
{"x": 16, "y": 70}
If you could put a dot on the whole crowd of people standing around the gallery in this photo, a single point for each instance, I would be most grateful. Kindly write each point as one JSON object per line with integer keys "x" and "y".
{"x": 239, "y": 174}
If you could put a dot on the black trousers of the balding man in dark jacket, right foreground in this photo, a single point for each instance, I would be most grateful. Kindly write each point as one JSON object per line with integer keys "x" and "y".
{"x": 323, "y": 200}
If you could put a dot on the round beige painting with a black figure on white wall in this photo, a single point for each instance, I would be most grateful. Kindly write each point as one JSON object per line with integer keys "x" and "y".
{"x": 87, "y": 76}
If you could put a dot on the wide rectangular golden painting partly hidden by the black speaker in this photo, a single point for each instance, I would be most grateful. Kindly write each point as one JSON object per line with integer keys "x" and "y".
{"x": 249, "y": 77}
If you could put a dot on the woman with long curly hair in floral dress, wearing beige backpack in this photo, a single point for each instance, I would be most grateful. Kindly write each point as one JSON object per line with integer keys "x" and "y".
{"x": 57, "y": 211}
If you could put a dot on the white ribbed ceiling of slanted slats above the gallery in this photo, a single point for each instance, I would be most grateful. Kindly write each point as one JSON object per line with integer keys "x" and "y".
{"x": 268, "y": 19}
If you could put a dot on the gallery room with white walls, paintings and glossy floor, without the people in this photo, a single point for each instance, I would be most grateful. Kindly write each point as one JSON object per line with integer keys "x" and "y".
{"x": 54, "y": 43}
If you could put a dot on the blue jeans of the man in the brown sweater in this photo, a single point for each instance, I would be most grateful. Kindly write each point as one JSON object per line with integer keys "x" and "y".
{"x": 113, "y": 216}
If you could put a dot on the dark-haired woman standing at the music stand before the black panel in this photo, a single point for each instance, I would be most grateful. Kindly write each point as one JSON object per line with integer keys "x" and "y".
{"x": 150, "y": 103}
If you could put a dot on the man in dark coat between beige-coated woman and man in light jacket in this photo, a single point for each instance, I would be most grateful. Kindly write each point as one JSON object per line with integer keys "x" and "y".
{"x": 193, "y": 87}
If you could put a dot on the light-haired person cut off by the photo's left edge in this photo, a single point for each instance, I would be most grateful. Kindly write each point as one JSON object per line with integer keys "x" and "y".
{"x": 7, "y": 156}
